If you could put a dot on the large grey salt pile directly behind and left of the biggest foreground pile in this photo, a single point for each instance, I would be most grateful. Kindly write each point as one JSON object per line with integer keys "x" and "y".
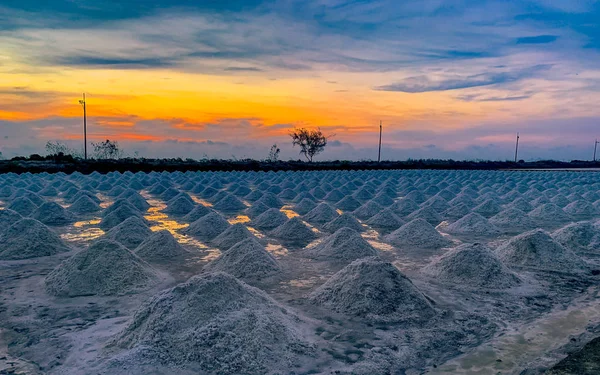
{"x": 106, "y": 268}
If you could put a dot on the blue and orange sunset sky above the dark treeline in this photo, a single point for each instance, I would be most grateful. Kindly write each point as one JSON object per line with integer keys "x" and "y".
{"x": 227, "y": 79}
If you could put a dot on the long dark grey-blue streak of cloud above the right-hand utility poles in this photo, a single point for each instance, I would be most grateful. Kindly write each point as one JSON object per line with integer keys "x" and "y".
{"x": 421, "y": 84}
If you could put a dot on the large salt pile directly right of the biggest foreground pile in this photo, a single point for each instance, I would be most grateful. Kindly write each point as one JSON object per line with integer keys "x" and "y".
{"x": 374, "y": 290}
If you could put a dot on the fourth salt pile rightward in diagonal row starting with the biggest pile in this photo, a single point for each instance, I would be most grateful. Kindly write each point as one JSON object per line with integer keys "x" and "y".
{"x": 536, "y": 249}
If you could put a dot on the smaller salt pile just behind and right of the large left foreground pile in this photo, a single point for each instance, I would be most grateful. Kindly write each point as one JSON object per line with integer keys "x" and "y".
{"x": 161, "y": 247}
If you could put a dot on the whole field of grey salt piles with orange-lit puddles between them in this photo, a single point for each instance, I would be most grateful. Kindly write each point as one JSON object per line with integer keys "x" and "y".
{"x": 328, "y": 272}
